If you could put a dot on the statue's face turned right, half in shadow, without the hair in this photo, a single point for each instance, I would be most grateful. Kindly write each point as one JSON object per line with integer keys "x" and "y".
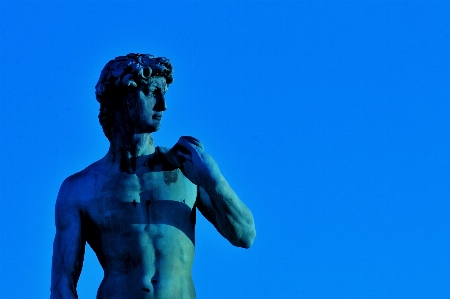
{"x": 148, "y": 106}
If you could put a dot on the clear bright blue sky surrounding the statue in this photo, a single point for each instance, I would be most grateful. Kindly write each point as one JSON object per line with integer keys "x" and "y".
{"x": 329, "y": 119}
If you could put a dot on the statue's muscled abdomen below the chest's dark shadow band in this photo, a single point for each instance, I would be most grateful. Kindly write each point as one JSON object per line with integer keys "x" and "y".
{"x": 147, "y": 261}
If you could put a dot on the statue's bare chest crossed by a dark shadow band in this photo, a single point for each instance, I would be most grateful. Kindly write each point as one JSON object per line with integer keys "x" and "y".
{"x": 128, "y": 205}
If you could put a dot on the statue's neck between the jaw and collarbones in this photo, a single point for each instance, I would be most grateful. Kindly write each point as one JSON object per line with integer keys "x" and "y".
{"x": 130, "y": 152}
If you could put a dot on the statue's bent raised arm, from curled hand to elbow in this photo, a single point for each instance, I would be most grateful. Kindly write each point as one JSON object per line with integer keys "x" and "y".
{"x": 217, "y": 201}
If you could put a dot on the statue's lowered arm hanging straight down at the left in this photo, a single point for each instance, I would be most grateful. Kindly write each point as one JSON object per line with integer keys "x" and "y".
{"x": 68, "y": 246}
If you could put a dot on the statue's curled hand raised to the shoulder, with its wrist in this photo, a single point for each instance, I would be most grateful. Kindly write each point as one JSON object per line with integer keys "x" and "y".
{"x": 197, "y": 165}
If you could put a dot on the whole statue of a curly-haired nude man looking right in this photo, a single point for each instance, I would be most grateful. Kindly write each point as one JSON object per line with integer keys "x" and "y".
{"x": 136, "y": 207}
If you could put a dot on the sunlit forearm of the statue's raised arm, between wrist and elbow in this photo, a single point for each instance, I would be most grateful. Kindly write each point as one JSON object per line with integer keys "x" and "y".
{"x": 233, "y": 217}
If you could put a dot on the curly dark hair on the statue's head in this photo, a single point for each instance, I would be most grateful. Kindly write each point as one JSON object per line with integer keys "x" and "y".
{"x": 121, "y": 76}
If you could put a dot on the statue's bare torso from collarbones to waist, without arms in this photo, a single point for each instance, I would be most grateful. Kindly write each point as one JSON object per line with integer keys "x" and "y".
{"x": 141, "y": 226}
